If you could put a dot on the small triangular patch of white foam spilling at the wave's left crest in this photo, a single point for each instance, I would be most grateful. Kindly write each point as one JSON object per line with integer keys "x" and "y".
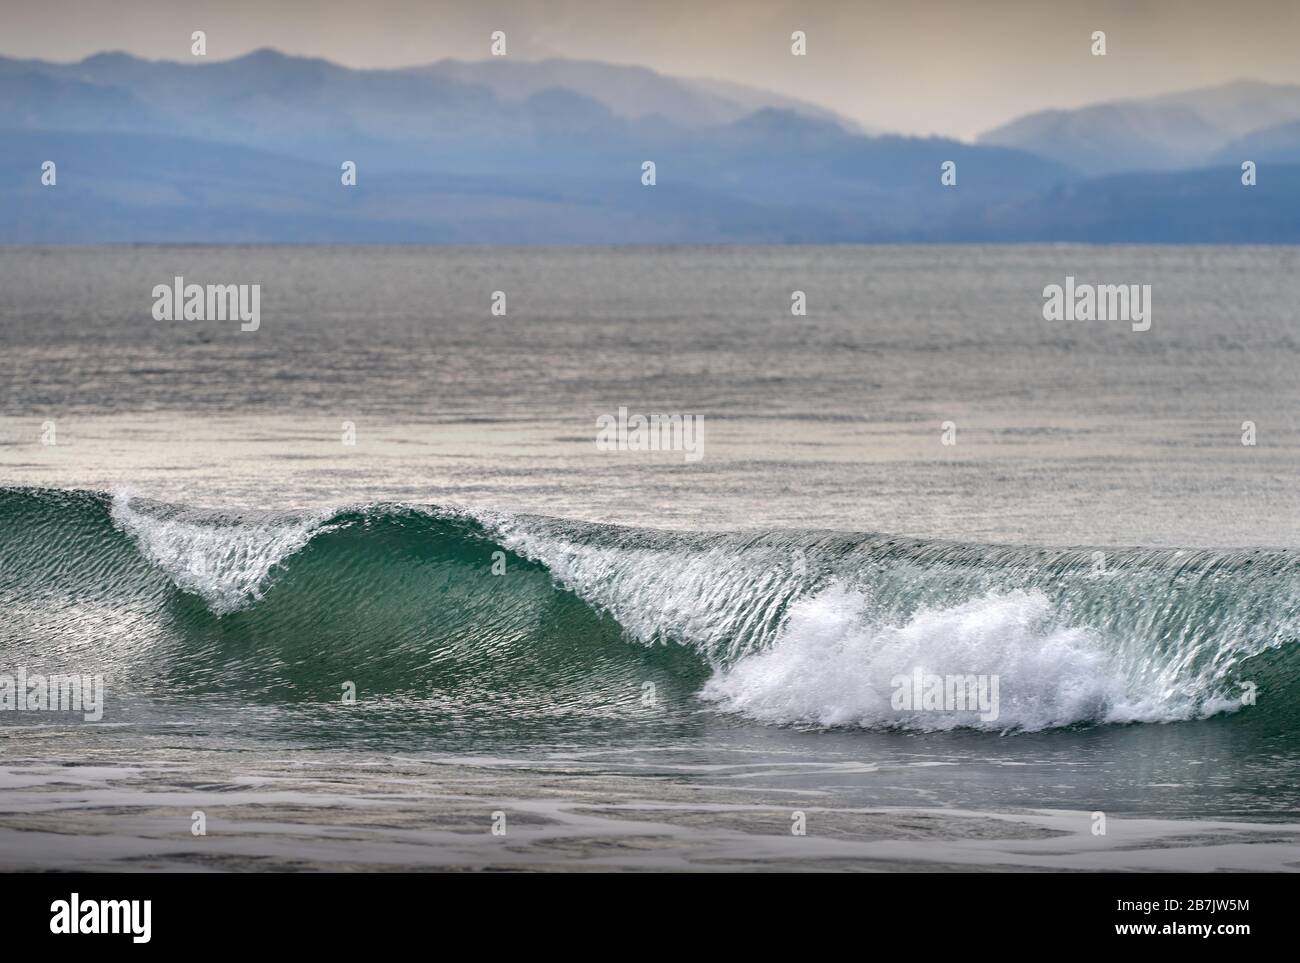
{"x": 227, "y": 563}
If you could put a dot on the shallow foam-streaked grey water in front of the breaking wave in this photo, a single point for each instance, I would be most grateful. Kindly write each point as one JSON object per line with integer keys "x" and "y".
{"x": 437, "y": 814}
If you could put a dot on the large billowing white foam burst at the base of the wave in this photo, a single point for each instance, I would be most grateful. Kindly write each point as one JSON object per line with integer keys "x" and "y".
{"x": 830, "y": 666}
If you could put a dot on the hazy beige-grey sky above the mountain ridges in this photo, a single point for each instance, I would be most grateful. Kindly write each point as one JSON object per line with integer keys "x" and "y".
{"x": 950, "y": 67}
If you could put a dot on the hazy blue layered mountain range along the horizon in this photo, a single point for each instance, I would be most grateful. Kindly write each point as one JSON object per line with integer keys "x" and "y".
{"x": 552, "y": 151}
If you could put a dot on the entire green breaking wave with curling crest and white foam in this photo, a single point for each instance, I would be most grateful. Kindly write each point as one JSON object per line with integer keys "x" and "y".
{"x": 449, "y": 613}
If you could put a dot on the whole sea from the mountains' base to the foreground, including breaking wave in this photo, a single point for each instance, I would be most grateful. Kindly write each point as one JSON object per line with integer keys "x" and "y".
{"x": 638, "y": 660}
